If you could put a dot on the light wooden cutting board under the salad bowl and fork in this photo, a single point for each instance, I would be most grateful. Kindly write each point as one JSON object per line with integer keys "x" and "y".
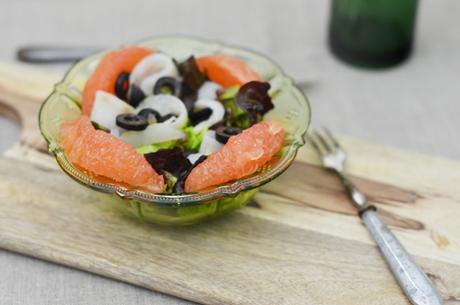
{"x": 299, "y": 241}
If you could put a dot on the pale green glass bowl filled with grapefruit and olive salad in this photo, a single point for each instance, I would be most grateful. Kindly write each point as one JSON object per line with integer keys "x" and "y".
{"x": 175, "y": 130}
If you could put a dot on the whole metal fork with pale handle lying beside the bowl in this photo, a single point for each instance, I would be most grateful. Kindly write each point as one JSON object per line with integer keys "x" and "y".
{"x": 413, "y": 281}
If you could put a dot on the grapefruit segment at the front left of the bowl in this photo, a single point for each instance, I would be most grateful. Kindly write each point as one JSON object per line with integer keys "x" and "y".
{"x": 103, "y": 154}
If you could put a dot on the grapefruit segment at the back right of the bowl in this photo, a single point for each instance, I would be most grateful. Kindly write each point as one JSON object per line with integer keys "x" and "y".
{"x": 227, "y": 70}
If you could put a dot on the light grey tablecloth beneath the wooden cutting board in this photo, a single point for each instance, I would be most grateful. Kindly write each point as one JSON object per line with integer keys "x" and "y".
{"x": 415, "y": 106}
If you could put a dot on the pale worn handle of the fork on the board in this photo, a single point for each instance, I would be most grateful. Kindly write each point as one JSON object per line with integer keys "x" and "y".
{"x": 413, "y": 281}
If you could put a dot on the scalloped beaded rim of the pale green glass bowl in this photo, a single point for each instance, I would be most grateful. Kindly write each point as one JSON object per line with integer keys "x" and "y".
{"x": 185, "y": 200}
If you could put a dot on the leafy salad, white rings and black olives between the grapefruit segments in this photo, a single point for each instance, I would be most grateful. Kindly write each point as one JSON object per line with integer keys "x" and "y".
{"x": 175, "y": 116}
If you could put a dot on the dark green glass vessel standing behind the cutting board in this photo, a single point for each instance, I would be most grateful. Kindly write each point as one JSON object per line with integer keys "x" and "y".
{"x": 372, "y": 33}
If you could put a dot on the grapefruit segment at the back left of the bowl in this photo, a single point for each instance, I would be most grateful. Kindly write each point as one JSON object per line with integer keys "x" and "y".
{"x": 106, "y": 73}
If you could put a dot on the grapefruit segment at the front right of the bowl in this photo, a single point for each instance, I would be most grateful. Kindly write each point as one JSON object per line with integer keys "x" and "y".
{"x": 241, "y": 156}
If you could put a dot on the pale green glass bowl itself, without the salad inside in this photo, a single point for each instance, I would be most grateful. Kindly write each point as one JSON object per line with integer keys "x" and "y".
{"x": 291, "y": 110}
